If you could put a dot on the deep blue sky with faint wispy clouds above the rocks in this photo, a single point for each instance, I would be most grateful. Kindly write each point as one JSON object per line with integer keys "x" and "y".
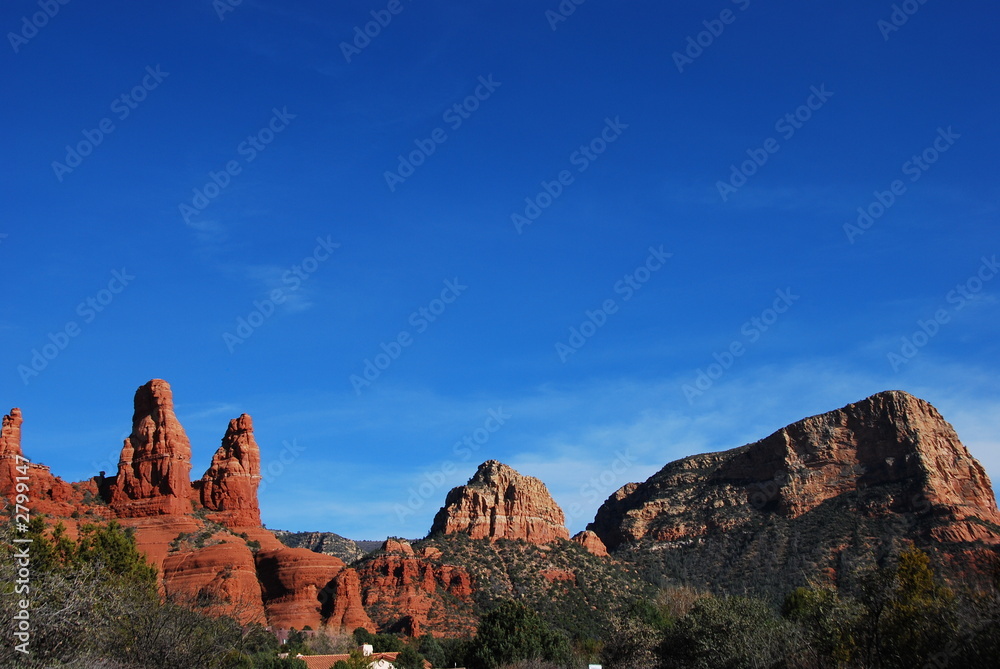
{"x": 672, "y": 182}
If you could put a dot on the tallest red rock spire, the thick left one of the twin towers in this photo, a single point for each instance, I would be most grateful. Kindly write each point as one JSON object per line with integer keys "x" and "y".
{"x": 154, "y": 471}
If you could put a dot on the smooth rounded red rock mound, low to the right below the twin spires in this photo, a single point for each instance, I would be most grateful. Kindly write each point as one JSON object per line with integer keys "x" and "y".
{"x": 301, "y": 588}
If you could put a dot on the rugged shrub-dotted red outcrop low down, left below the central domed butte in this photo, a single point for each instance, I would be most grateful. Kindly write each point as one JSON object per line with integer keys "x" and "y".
{"x": 407, "y": 591}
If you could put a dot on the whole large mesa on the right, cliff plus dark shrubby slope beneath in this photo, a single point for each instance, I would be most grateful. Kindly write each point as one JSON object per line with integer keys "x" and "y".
{"x": 812, "y": 497}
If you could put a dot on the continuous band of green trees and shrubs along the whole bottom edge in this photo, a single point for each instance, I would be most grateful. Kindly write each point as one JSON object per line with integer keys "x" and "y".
{"x": 94, "y": 603}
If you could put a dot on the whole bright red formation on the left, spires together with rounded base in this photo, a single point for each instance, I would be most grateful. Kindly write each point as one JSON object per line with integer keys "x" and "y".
{"x": 152, "y": 495}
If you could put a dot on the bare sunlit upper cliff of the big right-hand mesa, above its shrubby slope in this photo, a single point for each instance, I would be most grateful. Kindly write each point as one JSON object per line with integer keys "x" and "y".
{"x": 887, "y": 450}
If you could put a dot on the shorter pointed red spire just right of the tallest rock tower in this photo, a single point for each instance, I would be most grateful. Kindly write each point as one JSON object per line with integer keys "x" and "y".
{"x": 229, "y": 487}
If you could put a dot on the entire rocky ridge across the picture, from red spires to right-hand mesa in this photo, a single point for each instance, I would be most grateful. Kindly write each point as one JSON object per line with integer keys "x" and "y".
{"x": 812, "y": 501}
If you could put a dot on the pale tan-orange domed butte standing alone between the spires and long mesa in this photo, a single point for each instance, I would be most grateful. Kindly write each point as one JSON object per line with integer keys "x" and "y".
{"x": 500, "y": 503}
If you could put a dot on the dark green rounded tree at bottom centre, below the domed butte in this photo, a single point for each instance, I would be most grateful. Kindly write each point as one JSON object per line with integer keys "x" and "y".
{"x": 512, "y": 632}
